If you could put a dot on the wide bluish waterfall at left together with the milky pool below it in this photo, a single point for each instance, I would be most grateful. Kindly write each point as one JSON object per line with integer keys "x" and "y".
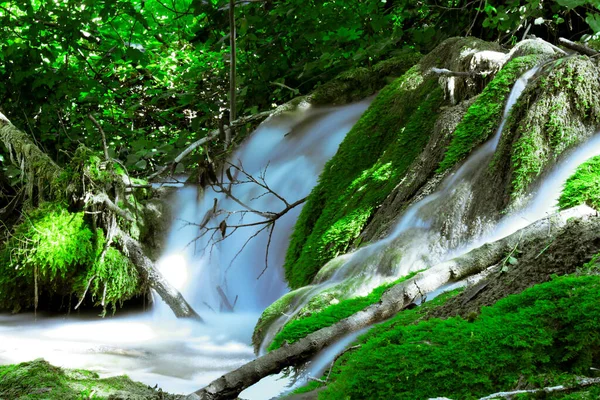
{"x": 182, "y": 356}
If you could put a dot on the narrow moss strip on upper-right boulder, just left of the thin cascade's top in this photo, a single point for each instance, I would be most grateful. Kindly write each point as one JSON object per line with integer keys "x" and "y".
{"x": 484, "y": 115}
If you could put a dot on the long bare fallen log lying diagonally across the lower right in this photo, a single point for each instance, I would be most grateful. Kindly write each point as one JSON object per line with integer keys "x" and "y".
{"x": 393, "y": 300}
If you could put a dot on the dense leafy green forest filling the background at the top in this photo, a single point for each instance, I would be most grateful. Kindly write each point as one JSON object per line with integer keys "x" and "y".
{"x": 155, "y": 74}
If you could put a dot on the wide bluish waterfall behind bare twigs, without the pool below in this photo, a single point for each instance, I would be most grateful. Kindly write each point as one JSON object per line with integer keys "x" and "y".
{"x": 289, "y": 151}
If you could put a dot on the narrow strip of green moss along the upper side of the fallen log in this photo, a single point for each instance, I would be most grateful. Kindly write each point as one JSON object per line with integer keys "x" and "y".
{"x": 299, "y": 328}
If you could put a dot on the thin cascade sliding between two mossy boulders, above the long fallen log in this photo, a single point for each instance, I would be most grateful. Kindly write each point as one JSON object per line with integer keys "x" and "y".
{"x": 418, "y": 240}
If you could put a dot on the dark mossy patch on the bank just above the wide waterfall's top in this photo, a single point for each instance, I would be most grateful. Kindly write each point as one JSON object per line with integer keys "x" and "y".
{"x": 362, "y": 82}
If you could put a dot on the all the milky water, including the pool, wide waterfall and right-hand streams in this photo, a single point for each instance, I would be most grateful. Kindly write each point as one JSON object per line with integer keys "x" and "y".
{"x": 289, "y": 152}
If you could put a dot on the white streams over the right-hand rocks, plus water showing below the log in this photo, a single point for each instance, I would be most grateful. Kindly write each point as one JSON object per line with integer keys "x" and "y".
{"x": 418, "y": 239}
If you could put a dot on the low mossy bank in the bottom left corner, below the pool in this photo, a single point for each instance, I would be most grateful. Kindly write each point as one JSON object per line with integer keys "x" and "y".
{"x": 38, "y": 380}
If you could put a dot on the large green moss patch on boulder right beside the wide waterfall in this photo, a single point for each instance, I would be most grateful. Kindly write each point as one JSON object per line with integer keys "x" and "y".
{"x": 370, "y": 162}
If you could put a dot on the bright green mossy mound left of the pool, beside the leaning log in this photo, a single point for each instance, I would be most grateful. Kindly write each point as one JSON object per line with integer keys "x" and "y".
{"x": 55, "y": 252}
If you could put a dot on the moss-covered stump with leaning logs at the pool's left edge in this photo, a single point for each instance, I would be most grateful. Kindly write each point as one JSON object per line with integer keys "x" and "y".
{"x": 79, "y": 256}
